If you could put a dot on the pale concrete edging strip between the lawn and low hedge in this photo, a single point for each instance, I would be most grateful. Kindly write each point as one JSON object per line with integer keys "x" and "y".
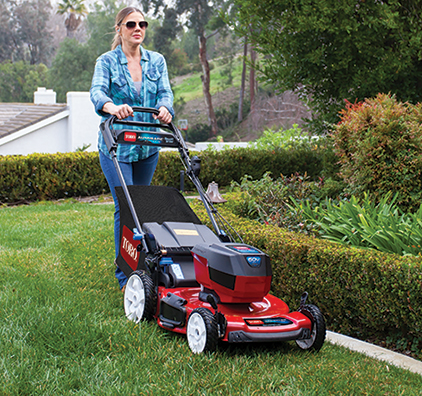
{"x": 374, "y": 351}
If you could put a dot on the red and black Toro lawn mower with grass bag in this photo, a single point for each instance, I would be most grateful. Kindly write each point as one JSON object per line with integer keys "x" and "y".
{"x": 192, "y": 280}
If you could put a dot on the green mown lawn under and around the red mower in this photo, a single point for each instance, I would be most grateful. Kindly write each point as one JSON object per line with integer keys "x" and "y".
{"x": 63, "y": 329}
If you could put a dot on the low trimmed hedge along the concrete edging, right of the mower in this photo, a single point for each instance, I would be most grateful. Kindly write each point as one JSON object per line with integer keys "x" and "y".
{"x": 362, "y": 293}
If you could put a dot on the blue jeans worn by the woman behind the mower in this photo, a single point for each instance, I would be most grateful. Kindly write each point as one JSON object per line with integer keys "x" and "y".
{"x": 134, "y": 173}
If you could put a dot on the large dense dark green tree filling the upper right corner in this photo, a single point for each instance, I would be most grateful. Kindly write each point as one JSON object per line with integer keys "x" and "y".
{"x": 335, "y": 50}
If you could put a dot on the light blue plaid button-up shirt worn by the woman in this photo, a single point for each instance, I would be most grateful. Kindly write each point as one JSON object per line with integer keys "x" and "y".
{"x": 112, "y": 82}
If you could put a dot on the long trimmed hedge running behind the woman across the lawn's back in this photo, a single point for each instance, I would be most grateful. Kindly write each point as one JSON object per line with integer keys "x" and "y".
{"x": 53, "y": 176}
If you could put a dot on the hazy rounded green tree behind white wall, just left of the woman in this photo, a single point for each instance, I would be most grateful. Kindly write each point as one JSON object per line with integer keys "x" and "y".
{"x": 72, "y": 68}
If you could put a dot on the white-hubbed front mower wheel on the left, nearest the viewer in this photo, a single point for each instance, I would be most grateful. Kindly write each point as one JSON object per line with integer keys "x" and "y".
{"x": 202, "y": 331}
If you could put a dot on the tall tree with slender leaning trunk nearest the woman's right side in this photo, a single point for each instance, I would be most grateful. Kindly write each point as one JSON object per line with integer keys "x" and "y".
{"x": 199, "y": 13}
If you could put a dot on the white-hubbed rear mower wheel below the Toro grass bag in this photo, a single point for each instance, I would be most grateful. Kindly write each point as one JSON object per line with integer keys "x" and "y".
{"x": 140, "y": 299}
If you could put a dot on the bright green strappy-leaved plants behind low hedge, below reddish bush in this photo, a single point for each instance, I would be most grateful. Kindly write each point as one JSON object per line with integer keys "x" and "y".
{"x": 364, "y": 223}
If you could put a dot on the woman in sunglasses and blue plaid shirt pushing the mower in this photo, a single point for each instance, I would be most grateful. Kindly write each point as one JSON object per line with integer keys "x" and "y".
{"x": 127, "y": 76}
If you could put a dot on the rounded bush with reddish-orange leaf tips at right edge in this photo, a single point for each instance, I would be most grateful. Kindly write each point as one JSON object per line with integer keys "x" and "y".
{"x": 379, "y": 142}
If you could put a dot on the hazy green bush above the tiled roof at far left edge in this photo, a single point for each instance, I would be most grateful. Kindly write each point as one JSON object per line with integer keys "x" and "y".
{"x": 19, "y": 81}
